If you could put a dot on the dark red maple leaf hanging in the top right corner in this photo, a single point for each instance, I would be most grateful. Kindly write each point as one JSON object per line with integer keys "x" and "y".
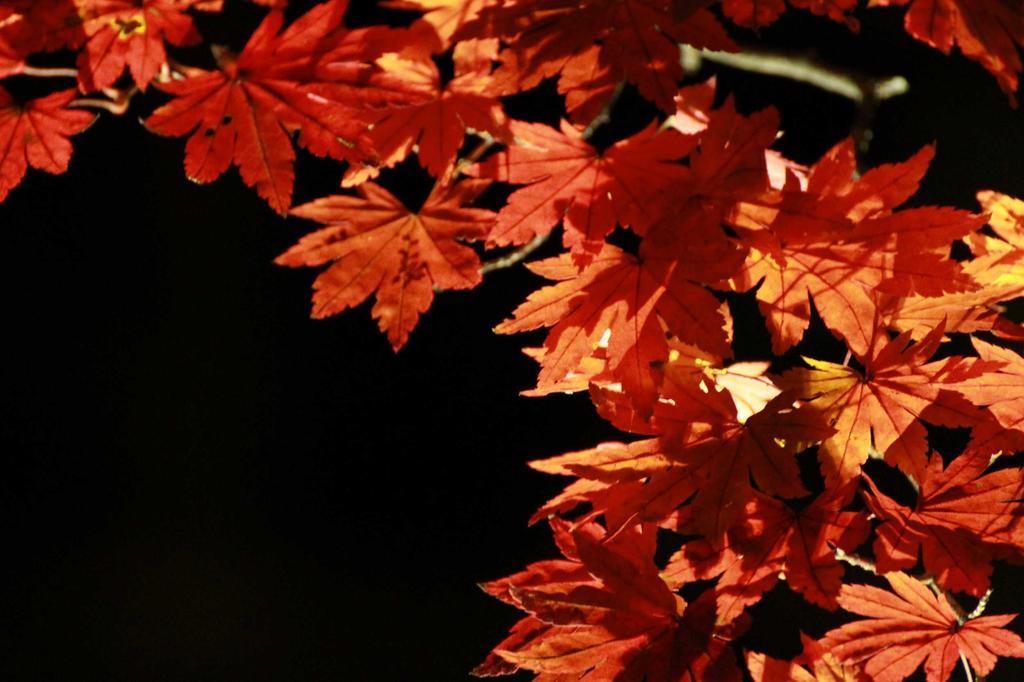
{"x": 987, "y": 31}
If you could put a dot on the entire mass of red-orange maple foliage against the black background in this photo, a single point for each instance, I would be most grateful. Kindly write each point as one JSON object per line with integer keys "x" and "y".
{"x": 755, "y": 473}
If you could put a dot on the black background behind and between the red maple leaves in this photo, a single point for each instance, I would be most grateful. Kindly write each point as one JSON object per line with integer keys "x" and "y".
{"x": 201, "y": 483}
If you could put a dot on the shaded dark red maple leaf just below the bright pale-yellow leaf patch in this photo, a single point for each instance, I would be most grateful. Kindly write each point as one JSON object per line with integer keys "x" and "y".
{"x": 703, "y": 452}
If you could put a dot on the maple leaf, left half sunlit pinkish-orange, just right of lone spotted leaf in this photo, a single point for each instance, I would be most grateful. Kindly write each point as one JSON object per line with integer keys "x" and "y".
{"x": 568, "y": 180}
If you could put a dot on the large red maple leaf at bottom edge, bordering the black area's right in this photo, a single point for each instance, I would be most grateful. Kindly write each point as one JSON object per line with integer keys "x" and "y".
{"x": 606, "y": 614}
